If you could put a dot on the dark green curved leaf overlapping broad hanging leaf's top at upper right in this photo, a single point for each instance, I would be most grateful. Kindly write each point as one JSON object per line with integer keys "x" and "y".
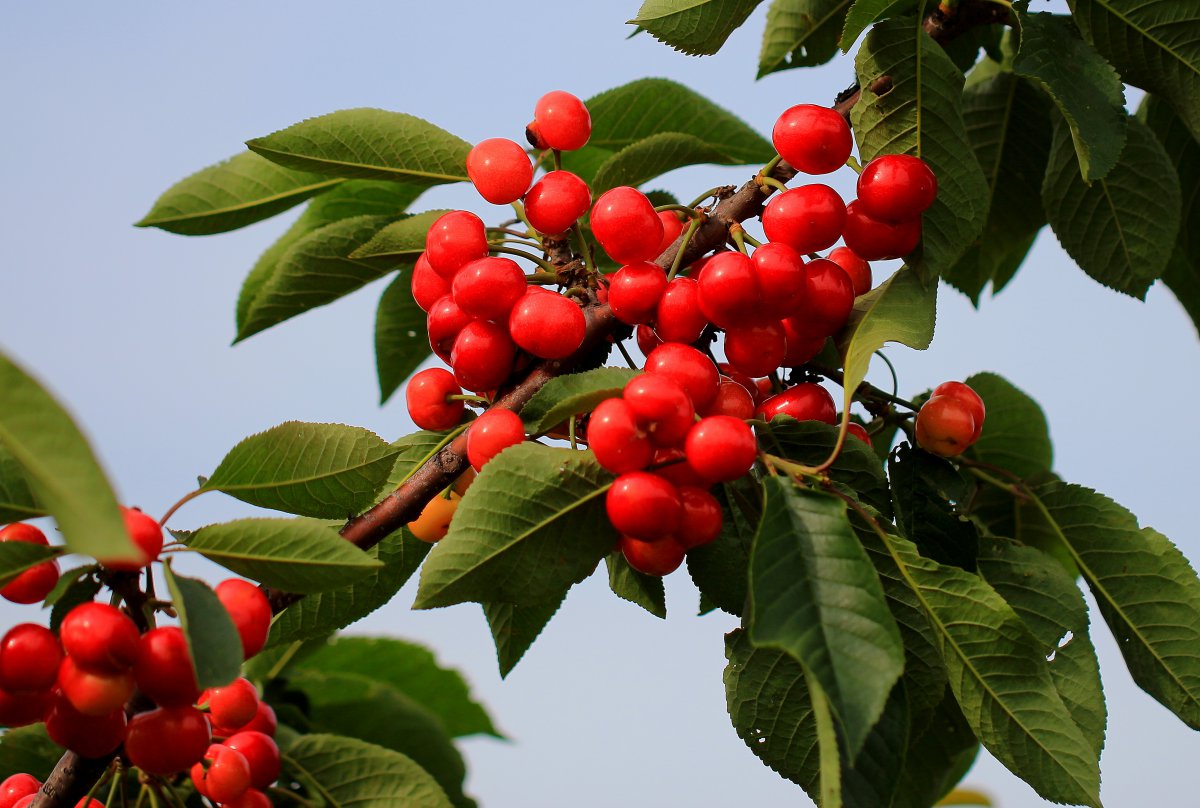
{"x": 1085, "y": 88}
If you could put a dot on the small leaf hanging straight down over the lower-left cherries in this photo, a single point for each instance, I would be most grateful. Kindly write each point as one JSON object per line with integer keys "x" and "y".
{"x": 212, "y": 637}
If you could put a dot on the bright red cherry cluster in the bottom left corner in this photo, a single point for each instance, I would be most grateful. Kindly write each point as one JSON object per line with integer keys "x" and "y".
{"x": 104, "y": 687}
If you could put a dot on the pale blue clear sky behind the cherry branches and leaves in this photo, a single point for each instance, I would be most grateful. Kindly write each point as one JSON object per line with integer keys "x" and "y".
{"x": 105, "y": 106}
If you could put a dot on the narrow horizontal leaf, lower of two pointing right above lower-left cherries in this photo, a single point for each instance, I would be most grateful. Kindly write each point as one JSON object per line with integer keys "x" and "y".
{"x": 297, "y": 555}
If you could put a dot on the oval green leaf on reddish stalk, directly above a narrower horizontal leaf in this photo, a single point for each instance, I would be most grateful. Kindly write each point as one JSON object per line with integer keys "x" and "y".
{"x": 326, "y": 471}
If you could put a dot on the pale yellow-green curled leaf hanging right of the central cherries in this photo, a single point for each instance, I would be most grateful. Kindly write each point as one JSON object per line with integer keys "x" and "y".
{"x": 903, "y": 309}
